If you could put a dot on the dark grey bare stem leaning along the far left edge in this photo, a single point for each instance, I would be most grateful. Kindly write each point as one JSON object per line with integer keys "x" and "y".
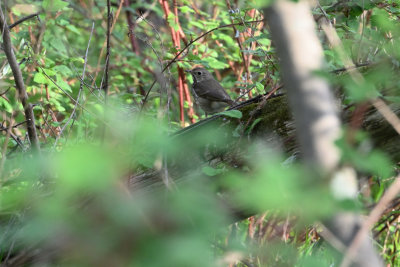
{"x": 19, "y": 82}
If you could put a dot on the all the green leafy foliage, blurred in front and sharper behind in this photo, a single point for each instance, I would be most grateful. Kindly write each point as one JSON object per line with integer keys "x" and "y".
{"x": 72, "y": 198}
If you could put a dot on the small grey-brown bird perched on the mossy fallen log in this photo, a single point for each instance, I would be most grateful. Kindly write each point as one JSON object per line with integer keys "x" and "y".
{"x": 208, "y": 93}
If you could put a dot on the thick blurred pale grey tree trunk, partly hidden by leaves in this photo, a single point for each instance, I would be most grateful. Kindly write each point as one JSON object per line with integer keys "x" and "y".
{"x": 318, "y": 126}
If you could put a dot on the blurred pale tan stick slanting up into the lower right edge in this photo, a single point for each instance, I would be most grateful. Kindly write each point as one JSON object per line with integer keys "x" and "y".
{"x": 373, "y": 217}
